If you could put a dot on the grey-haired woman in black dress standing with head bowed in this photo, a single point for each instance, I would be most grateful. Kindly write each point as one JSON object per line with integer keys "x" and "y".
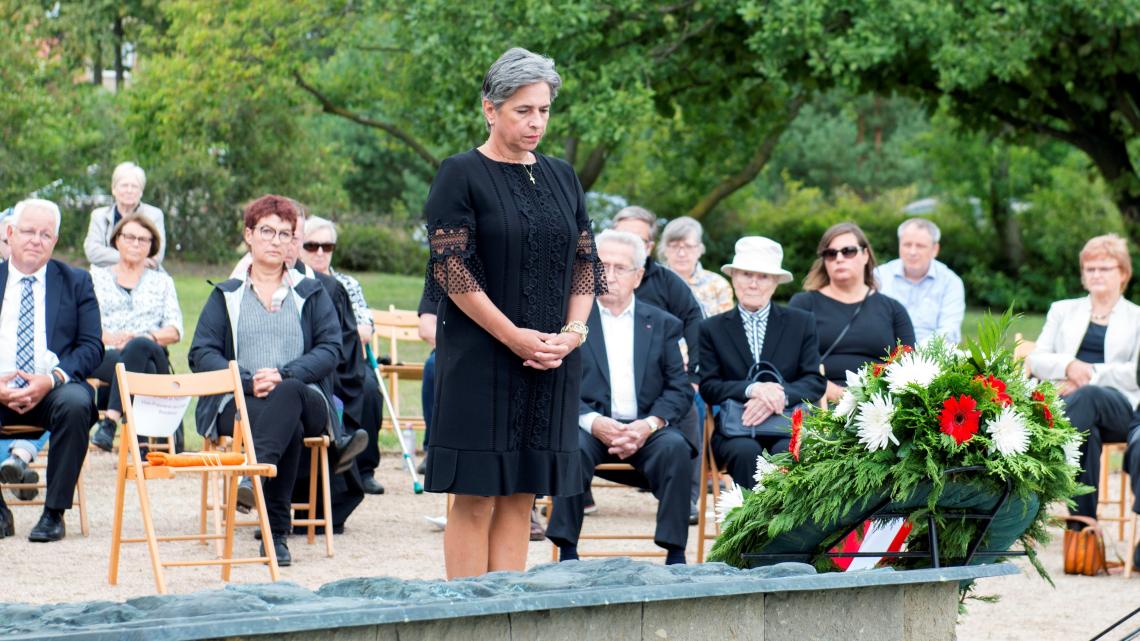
{"x": 515, "y": 269}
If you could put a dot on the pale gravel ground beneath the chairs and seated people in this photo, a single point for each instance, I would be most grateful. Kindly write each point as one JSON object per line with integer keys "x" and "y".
{"x": 388, "y": 535}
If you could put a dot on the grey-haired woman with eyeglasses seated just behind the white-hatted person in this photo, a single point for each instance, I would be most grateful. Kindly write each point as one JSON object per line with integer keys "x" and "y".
{"x": 682, "y": 248}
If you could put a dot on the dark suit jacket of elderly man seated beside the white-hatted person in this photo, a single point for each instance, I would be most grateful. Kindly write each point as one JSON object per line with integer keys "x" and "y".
{"x": 659, "y": 374}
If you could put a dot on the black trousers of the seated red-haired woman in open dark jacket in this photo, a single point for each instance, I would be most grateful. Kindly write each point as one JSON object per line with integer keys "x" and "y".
{"x": 280, "y": 423}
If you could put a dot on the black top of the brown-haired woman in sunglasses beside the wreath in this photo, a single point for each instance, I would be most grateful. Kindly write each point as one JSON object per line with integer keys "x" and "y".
{"x": 882, "y": 324}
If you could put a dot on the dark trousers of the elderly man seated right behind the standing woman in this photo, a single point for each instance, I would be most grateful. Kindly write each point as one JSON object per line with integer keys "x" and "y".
{"x": 663, "y": 466}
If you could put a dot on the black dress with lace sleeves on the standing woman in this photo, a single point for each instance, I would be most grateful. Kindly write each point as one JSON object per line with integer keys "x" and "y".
{"x": 500, "y": 428}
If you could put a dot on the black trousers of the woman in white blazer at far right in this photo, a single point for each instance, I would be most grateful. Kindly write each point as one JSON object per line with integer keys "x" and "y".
{"x": 1104, "y": 416}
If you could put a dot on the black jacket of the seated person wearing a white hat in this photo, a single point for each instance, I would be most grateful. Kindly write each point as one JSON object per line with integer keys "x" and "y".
{"x": 791, "y": 345}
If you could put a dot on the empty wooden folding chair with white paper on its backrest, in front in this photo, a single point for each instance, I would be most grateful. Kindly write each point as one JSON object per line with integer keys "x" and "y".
{"x": 132, "y": 467}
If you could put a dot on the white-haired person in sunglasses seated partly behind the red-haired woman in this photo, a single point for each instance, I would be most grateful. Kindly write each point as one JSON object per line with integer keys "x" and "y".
{"x": 355, "y": 383}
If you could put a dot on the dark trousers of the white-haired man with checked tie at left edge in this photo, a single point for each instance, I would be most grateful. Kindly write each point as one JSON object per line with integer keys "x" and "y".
{"x": 67, "y": 412}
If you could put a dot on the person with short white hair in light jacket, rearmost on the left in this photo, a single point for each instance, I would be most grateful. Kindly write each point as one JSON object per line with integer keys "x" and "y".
{"x": 127, "y": 185}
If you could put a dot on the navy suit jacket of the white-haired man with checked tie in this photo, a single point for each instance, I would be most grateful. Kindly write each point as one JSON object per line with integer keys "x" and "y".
{"x": 72, "y": 318}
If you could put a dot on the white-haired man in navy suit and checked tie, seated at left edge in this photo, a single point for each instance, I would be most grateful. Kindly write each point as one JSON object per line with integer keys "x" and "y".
{"x": 51, "y": 317}
